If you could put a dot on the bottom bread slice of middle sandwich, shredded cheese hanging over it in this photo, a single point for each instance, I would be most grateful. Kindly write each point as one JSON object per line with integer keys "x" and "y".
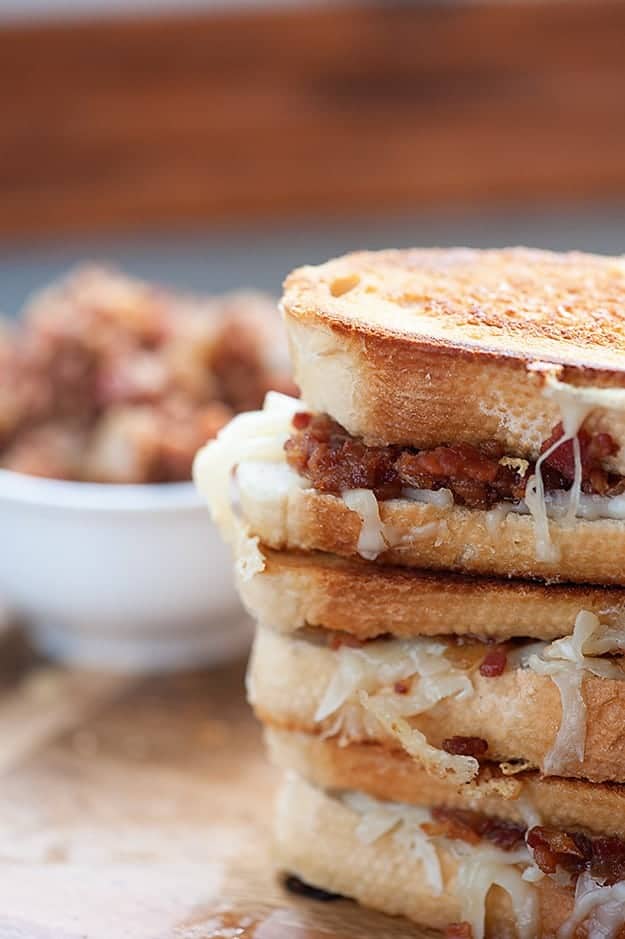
{"x": 518, "y": 715}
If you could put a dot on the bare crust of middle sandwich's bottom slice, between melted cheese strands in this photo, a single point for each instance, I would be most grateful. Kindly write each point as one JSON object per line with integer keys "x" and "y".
{"x": 518, "y": 713}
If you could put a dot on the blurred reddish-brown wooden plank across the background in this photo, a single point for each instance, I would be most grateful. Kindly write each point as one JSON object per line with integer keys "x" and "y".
{"x": 161, "y": 121}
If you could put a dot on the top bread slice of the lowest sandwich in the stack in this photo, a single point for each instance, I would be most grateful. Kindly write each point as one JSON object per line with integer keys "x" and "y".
{"x": 568, "y": 804}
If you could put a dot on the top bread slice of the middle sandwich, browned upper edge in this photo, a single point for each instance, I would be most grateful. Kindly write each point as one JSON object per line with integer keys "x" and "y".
{"x": 366, "y": 600}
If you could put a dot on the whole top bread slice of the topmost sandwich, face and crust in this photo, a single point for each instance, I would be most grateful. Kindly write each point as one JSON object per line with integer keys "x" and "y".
{"x": 427, "y": 347}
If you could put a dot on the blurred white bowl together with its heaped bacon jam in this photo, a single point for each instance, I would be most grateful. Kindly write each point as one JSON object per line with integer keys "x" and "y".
{"x": 108, "y": 386}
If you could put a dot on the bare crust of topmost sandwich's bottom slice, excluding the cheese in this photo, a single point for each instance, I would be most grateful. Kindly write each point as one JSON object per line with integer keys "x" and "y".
{"x": 453, "y": 539}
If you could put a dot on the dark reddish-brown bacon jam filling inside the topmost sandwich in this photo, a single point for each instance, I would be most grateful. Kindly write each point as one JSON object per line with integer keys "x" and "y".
{"x": 323, "y": 452}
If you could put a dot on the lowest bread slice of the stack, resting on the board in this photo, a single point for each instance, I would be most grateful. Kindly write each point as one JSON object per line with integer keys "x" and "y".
{"x": 320, "y": 839}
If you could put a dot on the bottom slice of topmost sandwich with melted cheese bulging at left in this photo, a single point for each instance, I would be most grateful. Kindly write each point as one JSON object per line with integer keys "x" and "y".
{"x": 254, "y": 494}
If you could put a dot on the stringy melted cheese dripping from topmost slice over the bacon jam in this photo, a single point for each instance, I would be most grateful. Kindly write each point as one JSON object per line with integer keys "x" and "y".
{"x": 575, "y": 404}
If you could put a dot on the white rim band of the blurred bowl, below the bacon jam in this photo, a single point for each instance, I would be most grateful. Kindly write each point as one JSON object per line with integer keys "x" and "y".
{"x": 107, "y": 497}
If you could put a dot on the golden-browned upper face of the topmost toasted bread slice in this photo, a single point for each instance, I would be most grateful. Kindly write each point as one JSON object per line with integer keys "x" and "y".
{"x": 535, "y": 305}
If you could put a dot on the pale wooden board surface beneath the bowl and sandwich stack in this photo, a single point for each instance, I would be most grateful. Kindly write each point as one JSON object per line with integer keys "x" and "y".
{"x": 140, "y": 808}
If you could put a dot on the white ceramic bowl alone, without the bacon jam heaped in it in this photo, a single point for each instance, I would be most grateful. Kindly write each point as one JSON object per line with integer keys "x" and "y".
{"x": 121, "y": 577}
